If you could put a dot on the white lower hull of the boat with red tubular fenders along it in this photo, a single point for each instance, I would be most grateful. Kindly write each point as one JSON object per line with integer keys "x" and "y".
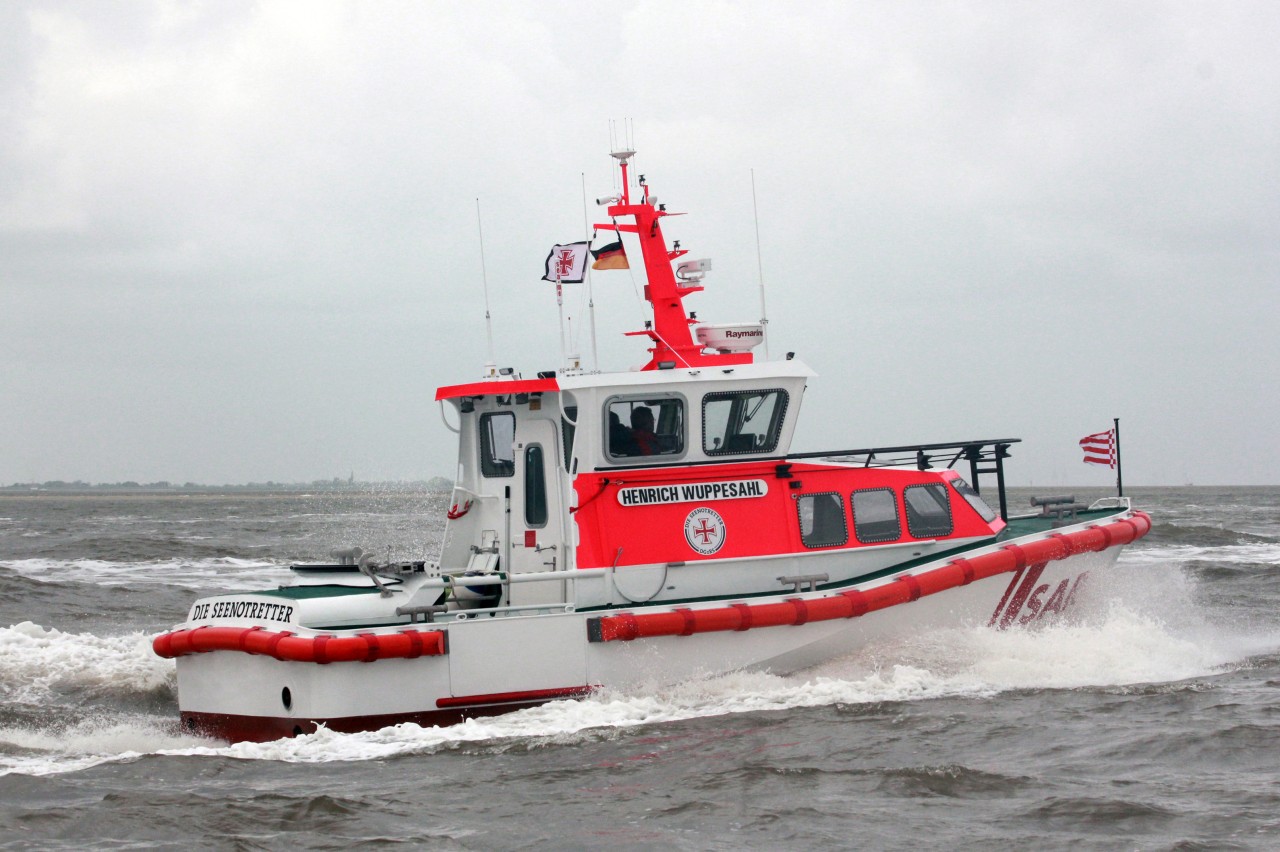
{"x": 497, "y": 665}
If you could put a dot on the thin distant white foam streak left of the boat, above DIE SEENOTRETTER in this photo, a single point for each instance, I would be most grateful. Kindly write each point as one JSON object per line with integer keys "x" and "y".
{"x": 222, "y": 574}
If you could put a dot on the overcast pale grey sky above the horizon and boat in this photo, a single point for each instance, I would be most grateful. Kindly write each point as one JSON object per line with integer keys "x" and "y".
{"x": 239, "y": 240}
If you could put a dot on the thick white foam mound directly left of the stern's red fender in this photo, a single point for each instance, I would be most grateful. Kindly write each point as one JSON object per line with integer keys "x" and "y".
{"x": 36, "y": 662}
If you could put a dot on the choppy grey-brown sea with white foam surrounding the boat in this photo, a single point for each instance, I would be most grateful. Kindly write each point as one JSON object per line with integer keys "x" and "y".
{"x": 1151, "y": 721}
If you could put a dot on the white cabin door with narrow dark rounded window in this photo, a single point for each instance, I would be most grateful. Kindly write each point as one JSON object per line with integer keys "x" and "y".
{"x": 537, "y": 524}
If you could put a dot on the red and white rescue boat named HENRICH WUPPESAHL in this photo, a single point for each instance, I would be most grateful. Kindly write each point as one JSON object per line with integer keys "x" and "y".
{"x": 638, "y": 528}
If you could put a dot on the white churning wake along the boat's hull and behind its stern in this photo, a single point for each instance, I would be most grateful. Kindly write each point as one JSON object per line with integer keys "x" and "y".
{"x": 1123, "y": 648}
